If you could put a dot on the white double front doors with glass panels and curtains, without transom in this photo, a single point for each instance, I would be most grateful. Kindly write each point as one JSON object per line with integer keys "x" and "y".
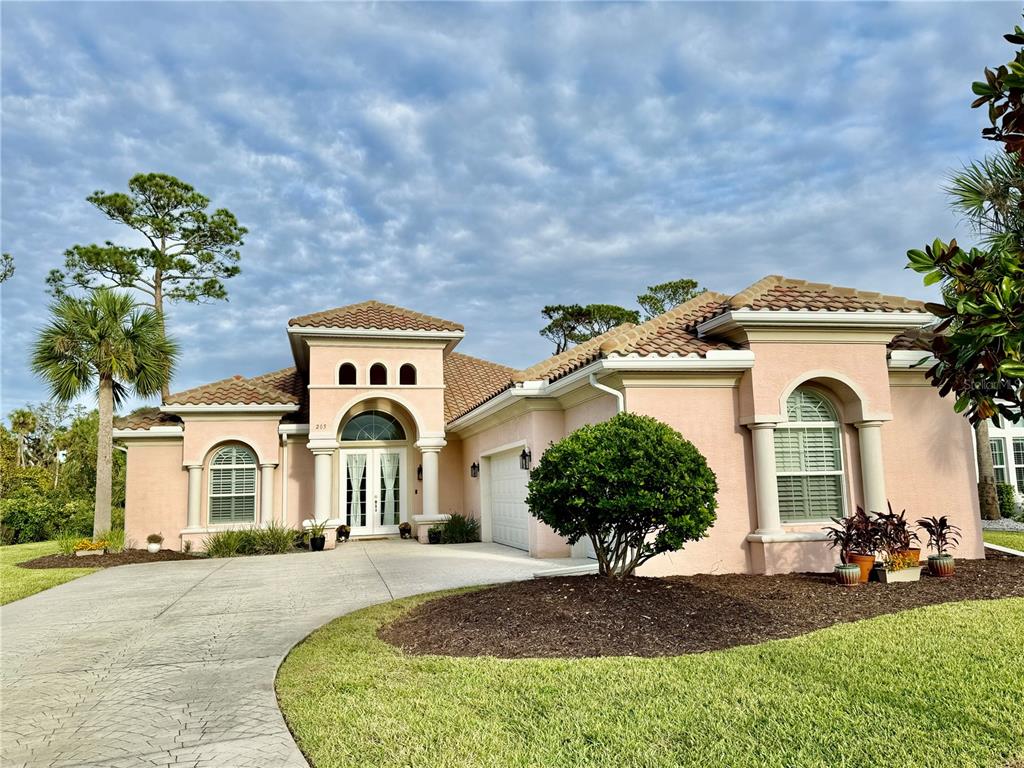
{"x": 373, "y": 490}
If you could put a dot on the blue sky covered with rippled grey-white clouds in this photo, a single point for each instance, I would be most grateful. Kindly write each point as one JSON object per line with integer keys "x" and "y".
{"x": 478, "y": 162}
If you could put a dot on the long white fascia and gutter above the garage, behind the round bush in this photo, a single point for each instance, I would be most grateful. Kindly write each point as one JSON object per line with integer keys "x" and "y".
{"x": 717, "y": 360}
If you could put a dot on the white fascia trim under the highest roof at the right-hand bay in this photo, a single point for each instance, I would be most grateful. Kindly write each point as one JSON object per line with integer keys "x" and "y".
{"x": 842, "y": 319}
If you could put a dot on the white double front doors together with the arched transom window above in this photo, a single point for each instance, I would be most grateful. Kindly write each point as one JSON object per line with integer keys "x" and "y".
{"x": 373, "y": 473}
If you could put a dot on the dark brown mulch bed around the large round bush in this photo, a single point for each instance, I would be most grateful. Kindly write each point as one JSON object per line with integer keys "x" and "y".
{"x": 592, "y": 617}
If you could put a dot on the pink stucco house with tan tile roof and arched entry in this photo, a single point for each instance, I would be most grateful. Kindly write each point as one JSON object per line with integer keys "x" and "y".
{"x": 805, "y": 399}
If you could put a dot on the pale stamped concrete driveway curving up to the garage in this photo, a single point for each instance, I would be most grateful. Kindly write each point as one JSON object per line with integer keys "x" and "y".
{"x": 174, "y": 664}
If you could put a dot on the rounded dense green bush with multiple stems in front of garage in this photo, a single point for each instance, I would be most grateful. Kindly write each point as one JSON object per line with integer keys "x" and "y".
{"x": 631, "y": 486}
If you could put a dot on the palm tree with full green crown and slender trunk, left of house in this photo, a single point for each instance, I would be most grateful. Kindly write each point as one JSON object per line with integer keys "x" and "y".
{"x": 104, "y": 344}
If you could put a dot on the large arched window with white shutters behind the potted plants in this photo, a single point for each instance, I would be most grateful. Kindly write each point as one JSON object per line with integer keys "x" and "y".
{"x": 809, "y": 460}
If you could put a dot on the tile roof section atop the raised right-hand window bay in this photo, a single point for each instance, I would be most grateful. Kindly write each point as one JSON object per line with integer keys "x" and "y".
{"x": 777, "y": 292}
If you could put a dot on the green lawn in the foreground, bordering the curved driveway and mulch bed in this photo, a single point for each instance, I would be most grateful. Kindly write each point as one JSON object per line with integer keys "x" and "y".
{"x": 932, "y": 688}
